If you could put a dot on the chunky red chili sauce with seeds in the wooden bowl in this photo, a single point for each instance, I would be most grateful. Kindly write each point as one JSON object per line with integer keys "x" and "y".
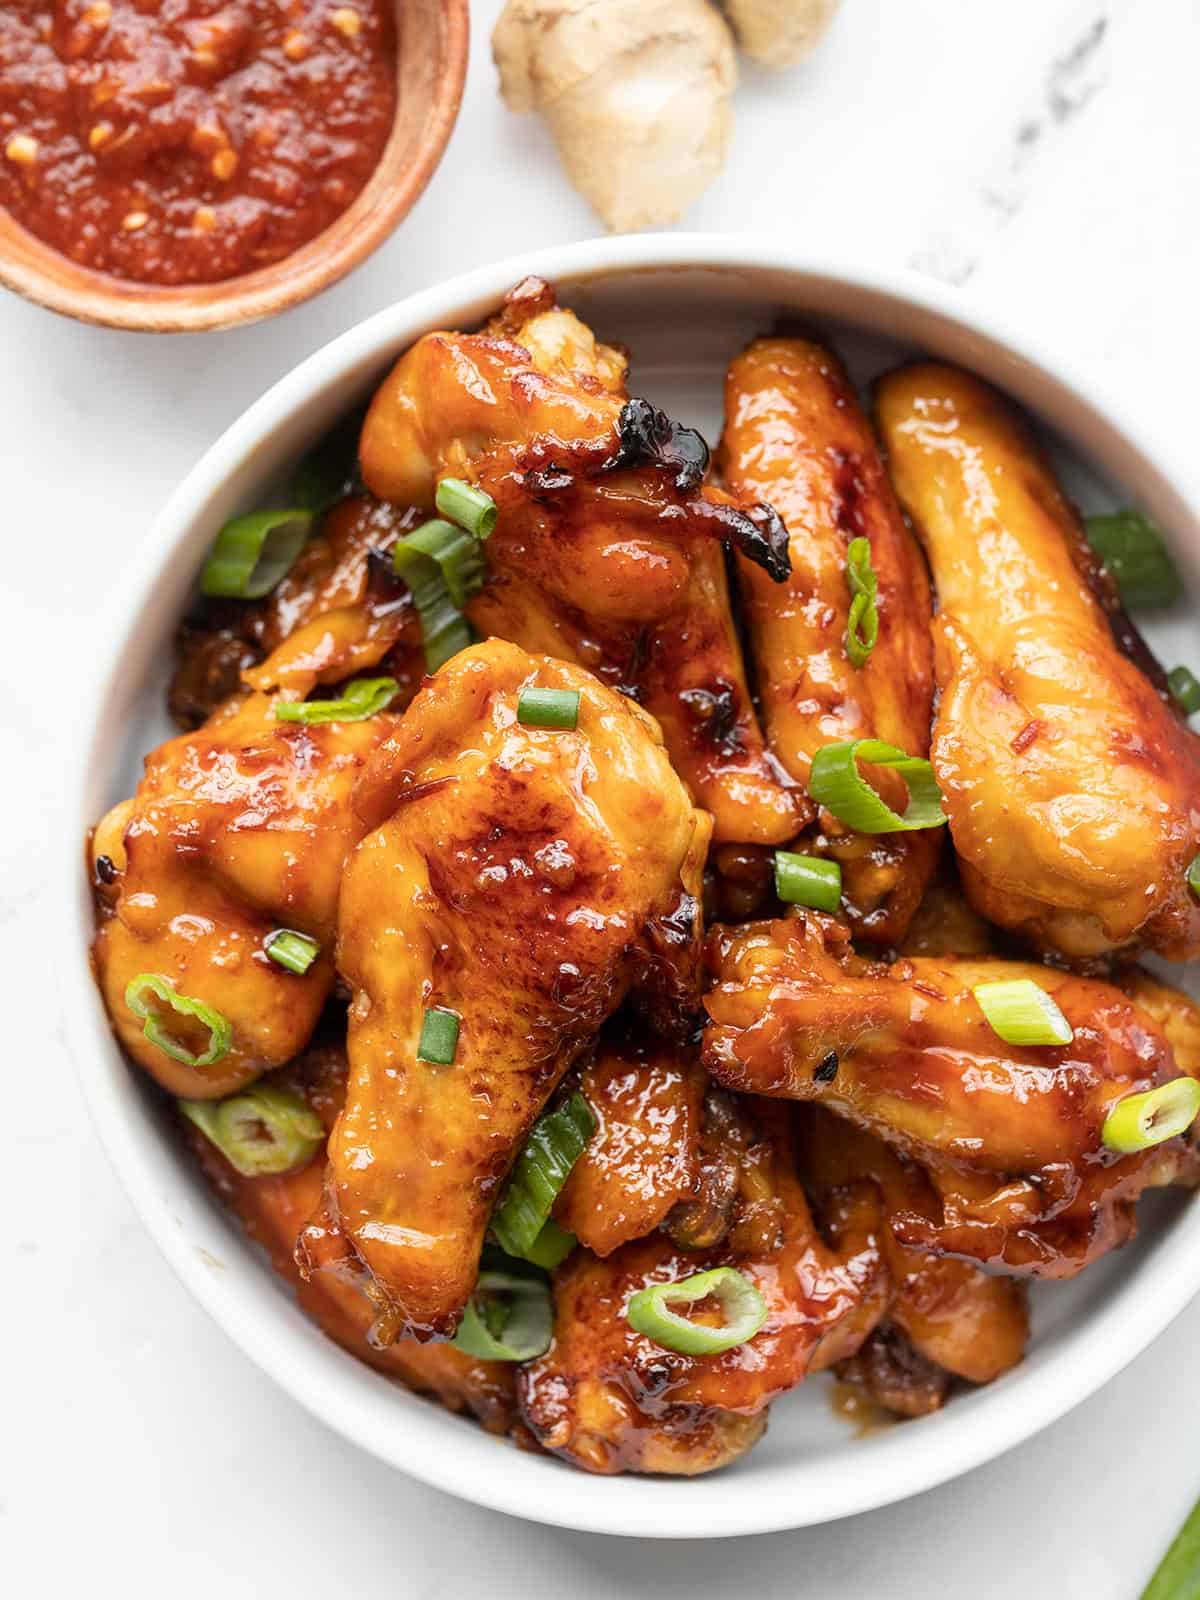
{"x": 186, "y": 142}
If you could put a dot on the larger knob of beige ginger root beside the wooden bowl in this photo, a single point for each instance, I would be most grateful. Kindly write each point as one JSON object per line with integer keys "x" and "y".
{"x": 636, "y": 94}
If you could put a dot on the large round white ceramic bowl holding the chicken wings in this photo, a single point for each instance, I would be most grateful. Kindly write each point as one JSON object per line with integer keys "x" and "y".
{"x": 682, "y": 303}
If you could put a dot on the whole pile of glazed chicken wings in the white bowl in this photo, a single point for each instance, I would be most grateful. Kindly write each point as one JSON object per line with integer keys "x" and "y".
{"x": 426, "y": 962}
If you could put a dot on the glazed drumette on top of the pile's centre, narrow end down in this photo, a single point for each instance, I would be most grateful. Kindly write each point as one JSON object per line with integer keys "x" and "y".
{"x": 524, "y": 879}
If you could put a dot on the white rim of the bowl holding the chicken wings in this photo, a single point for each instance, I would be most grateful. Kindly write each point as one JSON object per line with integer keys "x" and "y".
{"x": 876, "y": 1473}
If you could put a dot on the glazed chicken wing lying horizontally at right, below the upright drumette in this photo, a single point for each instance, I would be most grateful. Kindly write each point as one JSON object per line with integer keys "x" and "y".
{"x": 1012, "y": 1137}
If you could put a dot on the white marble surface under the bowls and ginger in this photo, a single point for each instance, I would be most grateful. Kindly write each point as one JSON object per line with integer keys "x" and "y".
{"x": 1042, "y": 154}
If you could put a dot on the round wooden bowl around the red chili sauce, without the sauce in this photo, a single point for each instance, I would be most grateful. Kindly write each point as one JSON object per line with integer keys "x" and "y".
{"x": 431, "y": 68}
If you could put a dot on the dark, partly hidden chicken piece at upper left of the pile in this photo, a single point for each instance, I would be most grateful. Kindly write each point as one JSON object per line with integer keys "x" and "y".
{"x": 338, "y": 612}
